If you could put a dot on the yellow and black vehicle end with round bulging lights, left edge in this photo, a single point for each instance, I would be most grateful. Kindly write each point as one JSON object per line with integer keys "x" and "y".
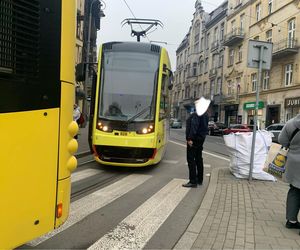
{"x": 37, "y": 93}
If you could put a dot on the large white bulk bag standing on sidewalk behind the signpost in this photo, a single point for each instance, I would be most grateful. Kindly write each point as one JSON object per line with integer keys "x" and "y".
{"x": 239, "y": 147}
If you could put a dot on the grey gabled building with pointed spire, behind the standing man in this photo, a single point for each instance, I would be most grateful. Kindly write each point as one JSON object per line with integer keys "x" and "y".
{"x": 187, "y": 87}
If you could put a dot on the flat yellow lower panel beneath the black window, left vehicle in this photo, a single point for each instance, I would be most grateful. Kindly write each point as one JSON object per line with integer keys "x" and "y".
{"x": 28, "y": 178}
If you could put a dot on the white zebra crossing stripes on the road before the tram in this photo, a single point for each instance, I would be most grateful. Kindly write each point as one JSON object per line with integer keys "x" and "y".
{"x": 137, "y": 228}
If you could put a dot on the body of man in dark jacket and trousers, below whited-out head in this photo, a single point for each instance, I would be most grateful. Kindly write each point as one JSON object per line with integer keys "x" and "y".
{"x": 196, "y": 131}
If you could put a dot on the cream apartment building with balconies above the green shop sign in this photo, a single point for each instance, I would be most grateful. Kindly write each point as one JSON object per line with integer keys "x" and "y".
{"x": 271, "y": 21}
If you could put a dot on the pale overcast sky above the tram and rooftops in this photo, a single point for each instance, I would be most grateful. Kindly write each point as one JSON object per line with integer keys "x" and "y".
{"x": 176, "y": 16}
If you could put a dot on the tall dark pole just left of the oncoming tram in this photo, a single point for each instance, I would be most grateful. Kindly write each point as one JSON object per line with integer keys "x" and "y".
{"x": 87, "y": 59}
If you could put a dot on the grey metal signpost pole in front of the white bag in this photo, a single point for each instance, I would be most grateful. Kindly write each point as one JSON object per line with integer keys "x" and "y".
{"x": 261, "y": 53}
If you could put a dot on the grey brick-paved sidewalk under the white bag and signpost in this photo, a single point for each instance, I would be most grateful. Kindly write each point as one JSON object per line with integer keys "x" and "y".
{"x": 238, "y": 214}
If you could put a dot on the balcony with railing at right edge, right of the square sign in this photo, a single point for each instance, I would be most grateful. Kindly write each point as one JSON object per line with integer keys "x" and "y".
{"x": 285, "y": 48}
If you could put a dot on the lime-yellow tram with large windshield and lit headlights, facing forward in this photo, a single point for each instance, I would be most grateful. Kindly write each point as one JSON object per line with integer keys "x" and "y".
{"x": 130, "y": 104}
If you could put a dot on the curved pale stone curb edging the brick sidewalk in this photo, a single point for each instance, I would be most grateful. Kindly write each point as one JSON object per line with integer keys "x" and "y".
{"x": 190, "y": 235}
